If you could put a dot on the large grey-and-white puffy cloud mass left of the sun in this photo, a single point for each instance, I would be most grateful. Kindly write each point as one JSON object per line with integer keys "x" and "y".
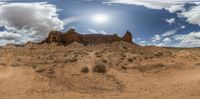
{"x": 33, "y": 21}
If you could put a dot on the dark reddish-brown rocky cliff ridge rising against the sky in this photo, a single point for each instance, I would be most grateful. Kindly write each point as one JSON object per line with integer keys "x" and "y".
{"x": 72, "y": 36}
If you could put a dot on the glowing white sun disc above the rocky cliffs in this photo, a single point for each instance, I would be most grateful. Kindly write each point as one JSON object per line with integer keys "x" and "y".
{"x": 100, "y": 18}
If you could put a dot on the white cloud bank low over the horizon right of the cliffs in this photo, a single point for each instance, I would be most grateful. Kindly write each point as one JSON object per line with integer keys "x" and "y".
{"x": 177, "y": 40}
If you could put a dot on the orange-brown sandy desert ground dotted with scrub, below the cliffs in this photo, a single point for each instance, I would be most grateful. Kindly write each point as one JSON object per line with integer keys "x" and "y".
{"x": 131, "y": 72}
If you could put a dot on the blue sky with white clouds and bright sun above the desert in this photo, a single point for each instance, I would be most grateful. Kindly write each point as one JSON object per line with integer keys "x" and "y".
{"x": 174, "y": 23}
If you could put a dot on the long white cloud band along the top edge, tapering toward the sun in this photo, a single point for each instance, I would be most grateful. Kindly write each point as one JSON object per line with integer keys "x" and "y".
{"x": 173, "y": 6}
